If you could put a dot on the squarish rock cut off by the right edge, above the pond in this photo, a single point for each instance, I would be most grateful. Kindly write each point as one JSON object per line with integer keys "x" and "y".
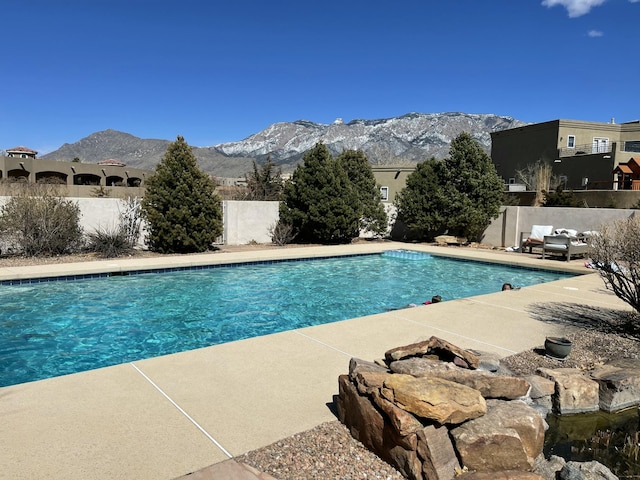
{"x": 619, "y": 384}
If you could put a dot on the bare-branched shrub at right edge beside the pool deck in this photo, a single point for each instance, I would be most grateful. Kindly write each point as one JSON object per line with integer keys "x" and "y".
{"x": 616, "y": 255}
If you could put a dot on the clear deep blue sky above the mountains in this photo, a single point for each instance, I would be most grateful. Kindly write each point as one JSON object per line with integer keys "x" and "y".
{"x": 216, "y": 71}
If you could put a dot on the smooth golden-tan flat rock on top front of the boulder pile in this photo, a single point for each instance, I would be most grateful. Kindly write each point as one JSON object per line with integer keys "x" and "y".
{"x": 434, "y": 398}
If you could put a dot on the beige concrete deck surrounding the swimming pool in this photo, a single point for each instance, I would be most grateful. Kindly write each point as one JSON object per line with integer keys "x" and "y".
{"x": 165, "y": 417}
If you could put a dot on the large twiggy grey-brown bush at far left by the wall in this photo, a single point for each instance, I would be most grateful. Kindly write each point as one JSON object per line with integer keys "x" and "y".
{"x": 37, "y": 222}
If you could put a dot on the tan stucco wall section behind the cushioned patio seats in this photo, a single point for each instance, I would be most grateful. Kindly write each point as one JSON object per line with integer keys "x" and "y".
{"x": 505, "y": 230}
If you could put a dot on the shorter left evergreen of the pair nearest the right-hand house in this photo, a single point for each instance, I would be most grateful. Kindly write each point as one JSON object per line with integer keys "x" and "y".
{"x": 420, "y": 203}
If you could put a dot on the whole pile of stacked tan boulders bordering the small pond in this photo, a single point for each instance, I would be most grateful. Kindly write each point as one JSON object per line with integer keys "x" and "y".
{"x": 428, "y": 410}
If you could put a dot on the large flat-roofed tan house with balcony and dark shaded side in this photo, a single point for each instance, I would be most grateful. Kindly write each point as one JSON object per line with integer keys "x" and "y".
{"x": 583, "y": 155}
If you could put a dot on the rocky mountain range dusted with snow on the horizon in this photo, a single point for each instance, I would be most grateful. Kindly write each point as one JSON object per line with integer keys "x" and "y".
{"x": 403, "y": 140}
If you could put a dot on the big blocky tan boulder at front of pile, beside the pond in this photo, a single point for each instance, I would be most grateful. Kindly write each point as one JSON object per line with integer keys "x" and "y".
{"x": 509, "y": 437}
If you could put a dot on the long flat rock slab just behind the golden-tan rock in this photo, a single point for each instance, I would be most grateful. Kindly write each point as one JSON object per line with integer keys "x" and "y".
{"x": 488, "y": 384}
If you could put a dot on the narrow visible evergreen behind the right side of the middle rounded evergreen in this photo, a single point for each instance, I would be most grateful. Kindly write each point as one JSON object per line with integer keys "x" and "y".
{"x": 373, "y": 216}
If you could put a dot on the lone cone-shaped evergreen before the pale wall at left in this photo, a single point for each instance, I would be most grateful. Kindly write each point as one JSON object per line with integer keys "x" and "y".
{"x": 183, "y": 212}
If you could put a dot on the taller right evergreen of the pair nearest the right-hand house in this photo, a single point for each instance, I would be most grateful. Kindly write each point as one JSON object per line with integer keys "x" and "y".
{"x": 472, "y": 189}
